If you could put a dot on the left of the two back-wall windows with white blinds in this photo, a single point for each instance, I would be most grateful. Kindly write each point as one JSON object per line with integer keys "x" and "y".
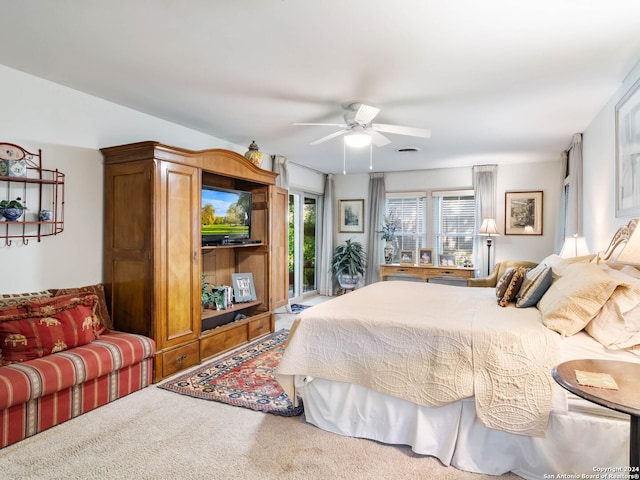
{"x": 408, "y": 211}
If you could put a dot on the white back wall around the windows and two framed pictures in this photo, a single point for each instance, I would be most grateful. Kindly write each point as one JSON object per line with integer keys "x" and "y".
{"x": 544, "y": 176}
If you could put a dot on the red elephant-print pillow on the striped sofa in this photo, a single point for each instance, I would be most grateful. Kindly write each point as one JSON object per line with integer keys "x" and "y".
{"x": 48, "y": 327}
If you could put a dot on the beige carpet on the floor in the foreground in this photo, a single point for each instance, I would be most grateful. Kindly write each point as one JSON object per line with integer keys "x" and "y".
{"x": 156, "y": 434}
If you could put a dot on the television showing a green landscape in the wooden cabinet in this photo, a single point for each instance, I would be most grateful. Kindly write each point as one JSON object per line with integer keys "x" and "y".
{"x": 225, "y": 214}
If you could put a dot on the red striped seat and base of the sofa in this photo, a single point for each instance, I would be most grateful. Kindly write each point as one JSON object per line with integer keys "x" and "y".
{"x": 44, "y": 392}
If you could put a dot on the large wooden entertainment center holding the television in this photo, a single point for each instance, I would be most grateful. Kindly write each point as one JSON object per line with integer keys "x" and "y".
{"x": 154, "y": 259}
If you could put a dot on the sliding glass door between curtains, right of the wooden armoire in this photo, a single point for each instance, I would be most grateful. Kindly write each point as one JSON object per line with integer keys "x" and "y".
{"x": 303, "y": 245}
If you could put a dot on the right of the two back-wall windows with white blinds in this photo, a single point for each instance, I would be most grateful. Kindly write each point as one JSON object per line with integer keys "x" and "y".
{"x": 454, "y": 223}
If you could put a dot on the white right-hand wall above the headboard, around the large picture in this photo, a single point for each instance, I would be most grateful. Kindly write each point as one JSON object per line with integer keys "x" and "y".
{"x": 599, "y": 158}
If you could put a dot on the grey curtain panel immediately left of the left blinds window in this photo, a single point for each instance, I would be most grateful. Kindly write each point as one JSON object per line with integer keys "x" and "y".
{"x": 376, "y": 219}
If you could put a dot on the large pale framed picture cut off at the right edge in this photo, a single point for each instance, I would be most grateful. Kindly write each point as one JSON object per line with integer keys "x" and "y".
{"x": 628, "y": 153}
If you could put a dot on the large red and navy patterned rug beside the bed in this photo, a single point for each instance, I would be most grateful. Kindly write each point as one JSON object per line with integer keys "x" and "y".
{"x": 244, "y": 378}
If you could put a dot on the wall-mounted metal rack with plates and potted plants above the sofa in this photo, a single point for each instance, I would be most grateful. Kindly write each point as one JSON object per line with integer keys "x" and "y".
{"x": 31, "y": 197}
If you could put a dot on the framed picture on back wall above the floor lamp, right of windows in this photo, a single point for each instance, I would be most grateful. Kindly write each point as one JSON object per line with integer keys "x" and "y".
{"x": 523, "y": 213}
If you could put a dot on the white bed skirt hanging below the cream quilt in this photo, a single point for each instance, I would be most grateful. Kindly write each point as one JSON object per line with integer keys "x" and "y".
{"x": 575, "y": 443}
